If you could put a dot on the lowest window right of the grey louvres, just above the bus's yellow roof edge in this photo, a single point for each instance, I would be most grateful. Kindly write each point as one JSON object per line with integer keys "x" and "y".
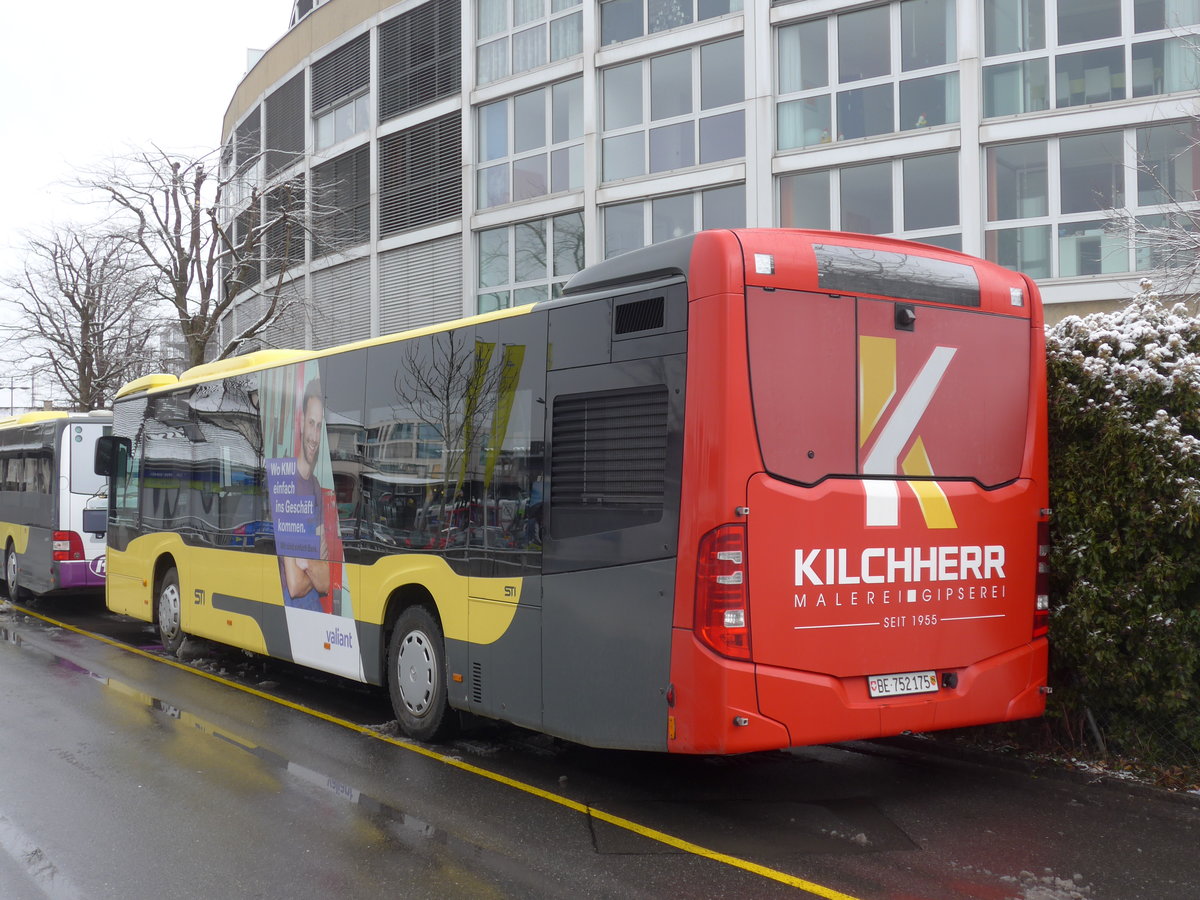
{"x": 527, "y": 262}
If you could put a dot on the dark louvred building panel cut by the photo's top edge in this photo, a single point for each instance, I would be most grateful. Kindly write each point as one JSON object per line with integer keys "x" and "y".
{"x": 419, "y": 58}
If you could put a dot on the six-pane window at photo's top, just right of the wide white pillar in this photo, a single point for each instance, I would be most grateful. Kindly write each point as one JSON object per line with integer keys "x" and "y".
{"x": 855, "y": 92}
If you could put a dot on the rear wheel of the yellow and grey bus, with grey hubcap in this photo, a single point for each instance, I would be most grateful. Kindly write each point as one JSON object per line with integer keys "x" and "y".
{"x": 417, "y": 676}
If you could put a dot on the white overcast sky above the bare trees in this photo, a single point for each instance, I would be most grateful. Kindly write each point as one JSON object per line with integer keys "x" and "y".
{"x": 85, "y": 81}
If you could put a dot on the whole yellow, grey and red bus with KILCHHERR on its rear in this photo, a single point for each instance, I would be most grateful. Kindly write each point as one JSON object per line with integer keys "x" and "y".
{"x": 737, "y": 491}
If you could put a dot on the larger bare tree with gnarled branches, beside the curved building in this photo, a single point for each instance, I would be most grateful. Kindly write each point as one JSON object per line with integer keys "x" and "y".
{"x": 215, "y": 237}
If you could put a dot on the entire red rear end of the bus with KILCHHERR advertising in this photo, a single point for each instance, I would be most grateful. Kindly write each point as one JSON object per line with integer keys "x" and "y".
{"x": 865, "y": 494}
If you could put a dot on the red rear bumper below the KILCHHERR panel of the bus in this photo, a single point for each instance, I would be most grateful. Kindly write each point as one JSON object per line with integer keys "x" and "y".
{"x": 730, "y": 707}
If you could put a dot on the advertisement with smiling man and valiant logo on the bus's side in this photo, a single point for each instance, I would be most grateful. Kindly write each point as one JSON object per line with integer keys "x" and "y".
{"x": 304, "y": 517}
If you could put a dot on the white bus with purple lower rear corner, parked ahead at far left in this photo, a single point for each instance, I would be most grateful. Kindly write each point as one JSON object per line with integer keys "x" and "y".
{"x": 52, "y": 503}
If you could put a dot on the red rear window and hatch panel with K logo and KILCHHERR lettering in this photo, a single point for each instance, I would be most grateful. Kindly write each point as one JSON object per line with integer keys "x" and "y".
{"x": 891, "y": 532}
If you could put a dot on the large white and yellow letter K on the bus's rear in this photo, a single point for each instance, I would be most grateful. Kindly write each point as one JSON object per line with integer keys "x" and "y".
{"x": 890, "y": 429}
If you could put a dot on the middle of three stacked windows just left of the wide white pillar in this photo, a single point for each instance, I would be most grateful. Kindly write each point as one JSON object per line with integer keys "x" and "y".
{"x": 674, "y": 112}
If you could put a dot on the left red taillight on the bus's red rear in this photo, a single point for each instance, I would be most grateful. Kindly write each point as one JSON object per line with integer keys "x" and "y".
{"x": 723, "y": 614}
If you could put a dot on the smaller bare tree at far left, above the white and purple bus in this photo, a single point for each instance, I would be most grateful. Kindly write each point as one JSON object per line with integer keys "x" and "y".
{"x": 87, "y": 314}
